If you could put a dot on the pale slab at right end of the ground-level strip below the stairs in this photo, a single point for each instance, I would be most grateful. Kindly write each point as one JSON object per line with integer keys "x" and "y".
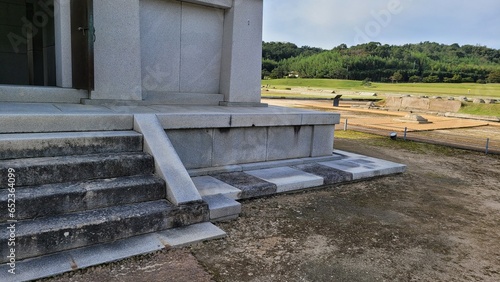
{"x": 184, "y": 236}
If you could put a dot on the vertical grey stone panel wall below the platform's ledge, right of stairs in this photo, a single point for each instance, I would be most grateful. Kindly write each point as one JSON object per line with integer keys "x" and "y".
{"x": 213, "y": 147}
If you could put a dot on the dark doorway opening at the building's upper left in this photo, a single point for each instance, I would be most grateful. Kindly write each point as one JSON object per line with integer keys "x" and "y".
{"x": 27, "y": 43}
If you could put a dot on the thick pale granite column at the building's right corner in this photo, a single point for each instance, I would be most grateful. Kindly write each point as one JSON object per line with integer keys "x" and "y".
{"x": 242, "y": 54}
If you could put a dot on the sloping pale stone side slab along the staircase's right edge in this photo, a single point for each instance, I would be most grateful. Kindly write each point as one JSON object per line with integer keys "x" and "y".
{"x": 180, "y": 187}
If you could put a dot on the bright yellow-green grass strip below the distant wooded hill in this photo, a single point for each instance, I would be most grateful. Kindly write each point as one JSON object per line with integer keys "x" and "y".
{"x": 430, "y": 89}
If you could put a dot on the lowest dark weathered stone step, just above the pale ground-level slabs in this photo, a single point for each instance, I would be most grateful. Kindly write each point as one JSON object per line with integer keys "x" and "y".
{"x": 58, "y": 233}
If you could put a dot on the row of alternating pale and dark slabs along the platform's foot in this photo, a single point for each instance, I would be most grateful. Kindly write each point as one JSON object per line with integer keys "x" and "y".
{"x": 222, "y": 187}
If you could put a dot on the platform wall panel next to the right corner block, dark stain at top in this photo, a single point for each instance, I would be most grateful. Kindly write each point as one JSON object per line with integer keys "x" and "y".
{"x": 289, "y": 142}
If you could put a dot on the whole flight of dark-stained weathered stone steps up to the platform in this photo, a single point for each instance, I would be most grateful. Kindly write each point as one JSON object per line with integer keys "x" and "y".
{"x": 79, "y": 189}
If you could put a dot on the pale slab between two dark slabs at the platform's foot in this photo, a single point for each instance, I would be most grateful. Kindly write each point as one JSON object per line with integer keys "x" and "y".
{"x": 288, "y": 179}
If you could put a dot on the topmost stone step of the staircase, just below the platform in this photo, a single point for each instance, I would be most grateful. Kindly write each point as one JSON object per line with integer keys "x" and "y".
{"x": 36, "y": 145}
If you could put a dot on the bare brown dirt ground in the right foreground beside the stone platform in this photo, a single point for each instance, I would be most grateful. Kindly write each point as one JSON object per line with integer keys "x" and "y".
{"x": 439, "y": 221}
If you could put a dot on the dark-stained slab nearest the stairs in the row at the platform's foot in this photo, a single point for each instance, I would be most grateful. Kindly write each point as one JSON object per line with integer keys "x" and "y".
{"x": 249, "y": 185}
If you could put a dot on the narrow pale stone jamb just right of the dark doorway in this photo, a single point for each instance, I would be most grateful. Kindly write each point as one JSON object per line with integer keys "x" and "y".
{"x": 62, "y": 26}
